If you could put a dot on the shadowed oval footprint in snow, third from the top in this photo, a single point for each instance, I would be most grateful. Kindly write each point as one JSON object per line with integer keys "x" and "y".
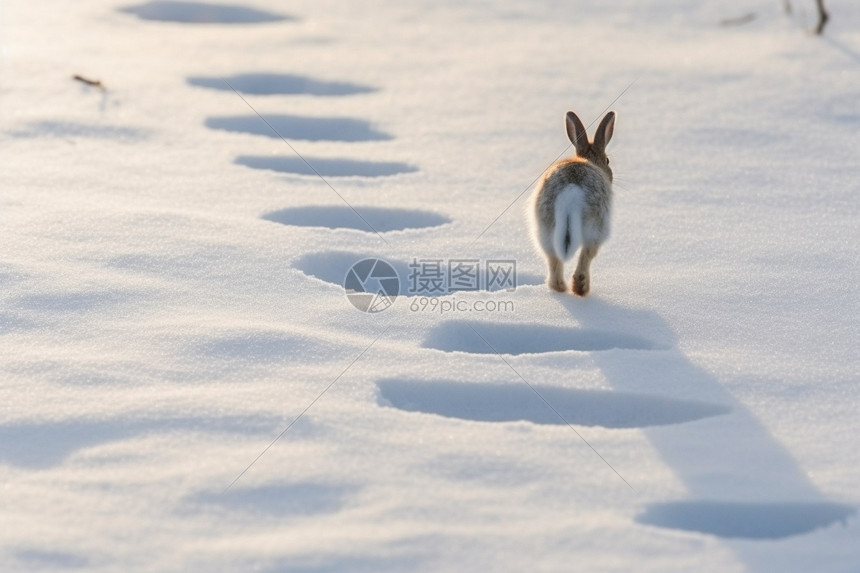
{"x": 302, "y": 128}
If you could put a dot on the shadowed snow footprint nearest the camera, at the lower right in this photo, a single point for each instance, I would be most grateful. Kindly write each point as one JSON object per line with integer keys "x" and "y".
{"x": 745, "y": 520}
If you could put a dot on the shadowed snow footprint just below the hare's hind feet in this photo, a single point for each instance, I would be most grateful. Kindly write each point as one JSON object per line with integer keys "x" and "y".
{"x": 517, "y": 338}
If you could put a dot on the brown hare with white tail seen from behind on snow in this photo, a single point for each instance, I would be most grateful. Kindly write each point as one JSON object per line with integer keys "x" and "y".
{"x": 572, "y": 204}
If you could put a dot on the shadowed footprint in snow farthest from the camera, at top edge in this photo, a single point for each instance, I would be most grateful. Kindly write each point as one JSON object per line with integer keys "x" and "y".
{"x": 201, "y": 13}
